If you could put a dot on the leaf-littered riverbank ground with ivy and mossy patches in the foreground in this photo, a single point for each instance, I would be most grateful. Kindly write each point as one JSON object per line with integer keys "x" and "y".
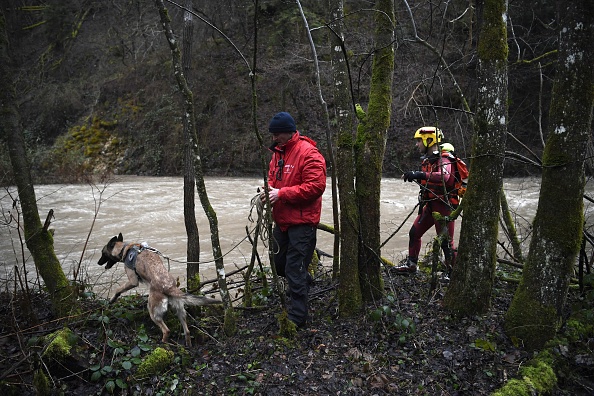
{"x": 404, "y": 343}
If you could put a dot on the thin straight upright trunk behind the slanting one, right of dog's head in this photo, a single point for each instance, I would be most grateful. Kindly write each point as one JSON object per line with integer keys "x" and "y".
{"x": 193, "y": 245}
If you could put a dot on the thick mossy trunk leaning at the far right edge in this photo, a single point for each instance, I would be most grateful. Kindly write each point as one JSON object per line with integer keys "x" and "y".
{"x": 536, "y": 310}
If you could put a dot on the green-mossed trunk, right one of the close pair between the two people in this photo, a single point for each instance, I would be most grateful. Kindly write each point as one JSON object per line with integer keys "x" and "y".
{"x": 370, "y": 148}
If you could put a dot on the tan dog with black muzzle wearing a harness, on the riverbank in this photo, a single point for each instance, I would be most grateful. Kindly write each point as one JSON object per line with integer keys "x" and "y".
{"x": 143, "y": 264}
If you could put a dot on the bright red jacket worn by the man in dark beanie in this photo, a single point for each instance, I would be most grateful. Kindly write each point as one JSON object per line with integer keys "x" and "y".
{"x": 298, "y": 170}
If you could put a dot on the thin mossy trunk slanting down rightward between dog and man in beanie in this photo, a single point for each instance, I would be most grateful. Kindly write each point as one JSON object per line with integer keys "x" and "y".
{"x": 229, "y": 325}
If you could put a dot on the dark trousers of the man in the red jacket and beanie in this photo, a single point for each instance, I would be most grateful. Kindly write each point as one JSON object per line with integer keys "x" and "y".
{"x": 293, "y": 251}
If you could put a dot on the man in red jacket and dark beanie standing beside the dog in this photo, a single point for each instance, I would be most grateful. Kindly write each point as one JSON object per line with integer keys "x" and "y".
{"x": 296, "y": 182}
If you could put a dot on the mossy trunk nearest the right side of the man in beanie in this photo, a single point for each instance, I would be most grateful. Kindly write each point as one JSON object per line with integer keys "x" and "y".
{"x": 349, "y": 291}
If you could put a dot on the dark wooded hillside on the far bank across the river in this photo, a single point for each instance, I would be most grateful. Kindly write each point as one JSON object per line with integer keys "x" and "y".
{"x": 97, "y": 93}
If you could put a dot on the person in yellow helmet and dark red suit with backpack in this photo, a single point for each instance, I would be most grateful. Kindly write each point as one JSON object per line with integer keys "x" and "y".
{"x": 436, "y": 179}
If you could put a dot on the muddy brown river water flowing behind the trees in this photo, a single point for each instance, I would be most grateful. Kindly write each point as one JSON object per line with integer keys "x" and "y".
{"x": 150, "y": 209}
